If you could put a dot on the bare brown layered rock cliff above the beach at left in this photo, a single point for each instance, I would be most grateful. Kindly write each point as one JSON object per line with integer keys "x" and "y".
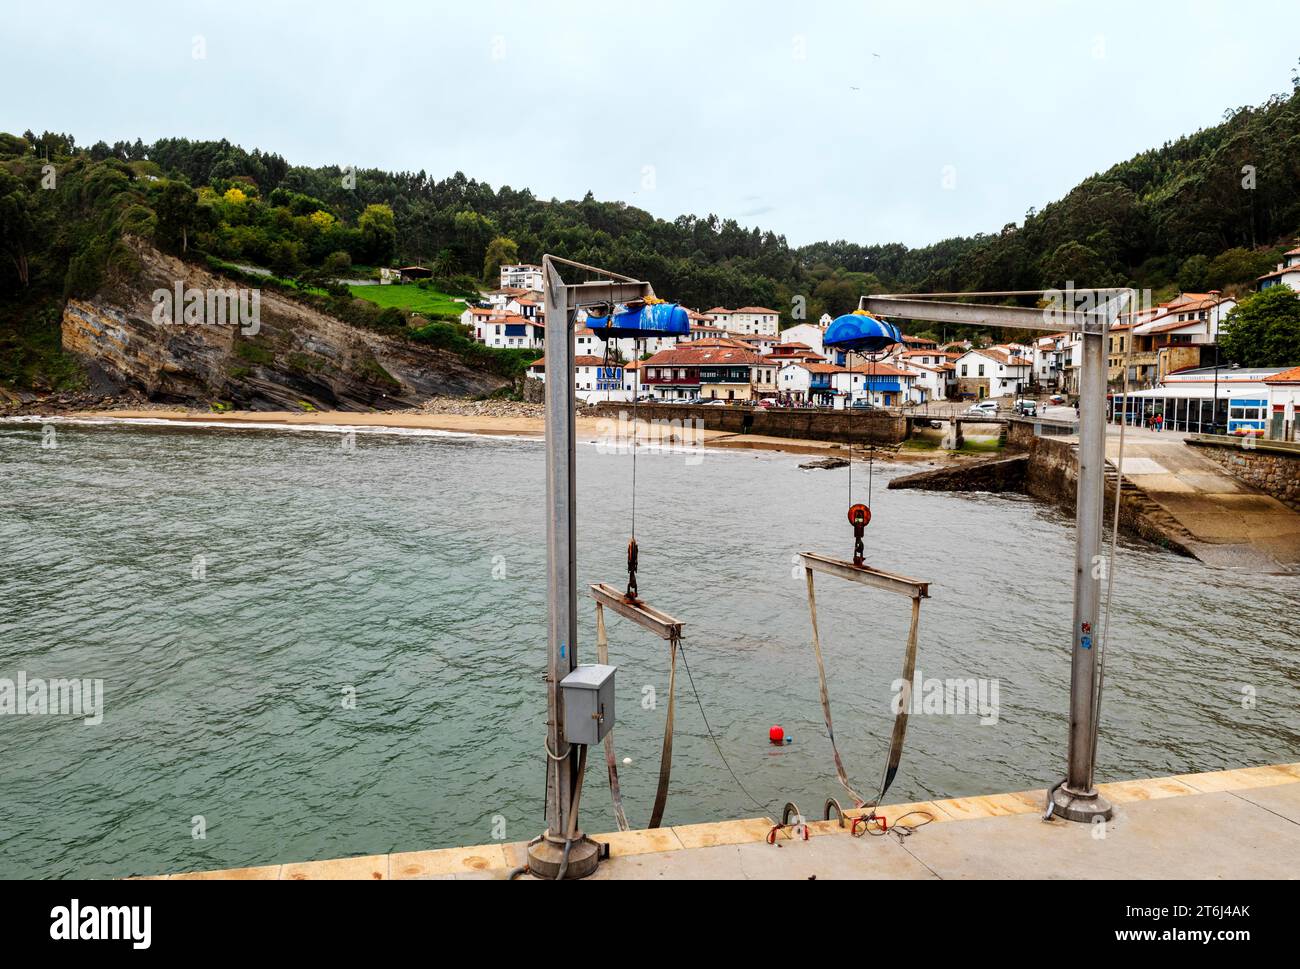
{"x": 293, "y": 356}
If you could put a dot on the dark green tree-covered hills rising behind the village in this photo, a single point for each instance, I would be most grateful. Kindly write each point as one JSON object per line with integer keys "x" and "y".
{"x": 1211, "y": 210}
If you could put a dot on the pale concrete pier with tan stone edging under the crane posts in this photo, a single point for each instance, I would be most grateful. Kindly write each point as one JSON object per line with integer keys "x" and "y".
{"x": 1233, "y": 824}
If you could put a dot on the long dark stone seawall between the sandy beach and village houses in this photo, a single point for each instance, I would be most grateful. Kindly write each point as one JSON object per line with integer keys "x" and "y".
{"x": 840, "y": 427}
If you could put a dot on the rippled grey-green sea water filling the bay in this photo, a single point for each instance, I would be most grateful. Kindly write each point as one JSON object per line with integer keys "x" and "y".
{"x": 410, "y": 574}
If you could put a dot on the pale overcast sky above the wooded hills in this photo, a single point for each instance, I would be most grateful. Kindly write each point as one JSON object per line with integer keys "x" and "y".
{"x": 821, "y": 120}
